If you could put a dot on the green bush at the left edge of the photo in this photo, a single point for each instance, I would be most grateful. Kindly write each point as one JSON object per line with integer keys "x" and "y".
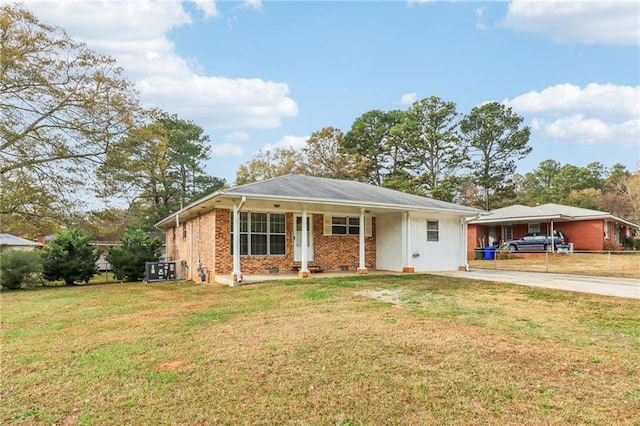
{"x": 18, "y": 266}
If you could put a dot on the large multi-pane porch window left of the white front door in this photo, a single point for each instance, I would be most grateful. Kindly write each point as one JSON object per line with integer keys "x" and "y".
{"x": 261, "y": 234}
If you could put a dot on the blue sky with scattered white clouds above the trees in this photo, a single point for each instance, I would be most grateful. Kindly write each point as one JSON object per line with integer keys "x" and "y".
{"x": 257, "y": 75}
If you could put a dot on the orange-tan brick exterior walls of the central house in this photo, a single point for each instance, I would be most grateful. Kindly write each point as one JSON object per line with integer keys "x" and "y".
{"x": 211, "y": 233}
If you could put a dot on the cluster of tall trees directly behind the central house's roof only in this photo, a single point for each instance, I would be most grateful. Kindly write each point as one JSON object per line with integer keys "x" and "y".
{"x": 429, "y": 149}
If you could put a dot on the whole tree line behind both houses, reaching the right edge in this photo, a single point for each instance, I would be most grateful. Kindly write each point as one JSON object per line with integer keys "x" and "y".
{"x": 429, "y": 149}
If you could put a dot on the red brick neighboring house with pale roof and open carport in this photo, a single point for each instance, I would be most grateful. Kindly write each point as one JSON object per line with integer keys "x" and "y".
{"x": 586, "y": 229}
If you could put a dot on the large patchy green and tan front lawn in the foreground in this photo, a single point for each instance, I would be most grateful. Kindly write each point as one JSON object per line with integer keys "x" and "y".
{"x": 319, "y": 352}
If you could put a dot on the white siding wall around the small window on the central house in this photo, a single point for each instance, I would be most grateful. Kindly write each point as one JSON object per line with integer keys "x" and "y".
{"x": 447, "y": 254}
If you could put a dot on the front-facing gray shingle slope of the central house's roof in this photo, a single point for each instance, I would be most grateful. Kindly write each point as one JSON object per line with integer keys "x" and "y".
{"x": 323, "y": 189}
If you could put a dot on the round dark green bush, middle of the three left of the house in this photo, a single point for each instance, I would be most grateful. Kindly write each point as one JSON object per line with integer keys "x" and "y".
{"x": 70, "y": 257}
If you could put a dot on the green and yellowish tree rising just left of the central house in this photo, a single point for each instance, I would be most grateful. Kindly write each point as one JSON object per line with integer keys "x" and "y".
{"x": 159, "y": 168}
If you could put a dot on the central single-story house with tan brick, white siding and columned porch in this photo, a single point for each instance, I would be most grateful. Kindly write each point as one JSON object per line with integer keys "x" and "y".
{"x": 270, "y": 221}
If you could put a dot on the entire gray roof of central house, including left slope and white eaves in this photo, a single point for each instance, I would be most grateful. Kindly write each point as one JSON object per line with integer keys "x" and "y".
{"x": 316, "y": 190}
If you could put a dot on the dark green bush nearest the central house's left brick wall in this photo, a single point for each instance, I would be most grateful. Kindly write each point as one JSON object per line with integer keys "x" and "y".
{"x": 128, "y": 260}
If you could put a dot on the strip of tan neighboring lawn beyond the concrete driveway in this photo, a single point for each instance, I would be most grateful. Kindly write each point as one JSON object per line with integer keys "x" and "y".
{"x": 618, "y": 264}
